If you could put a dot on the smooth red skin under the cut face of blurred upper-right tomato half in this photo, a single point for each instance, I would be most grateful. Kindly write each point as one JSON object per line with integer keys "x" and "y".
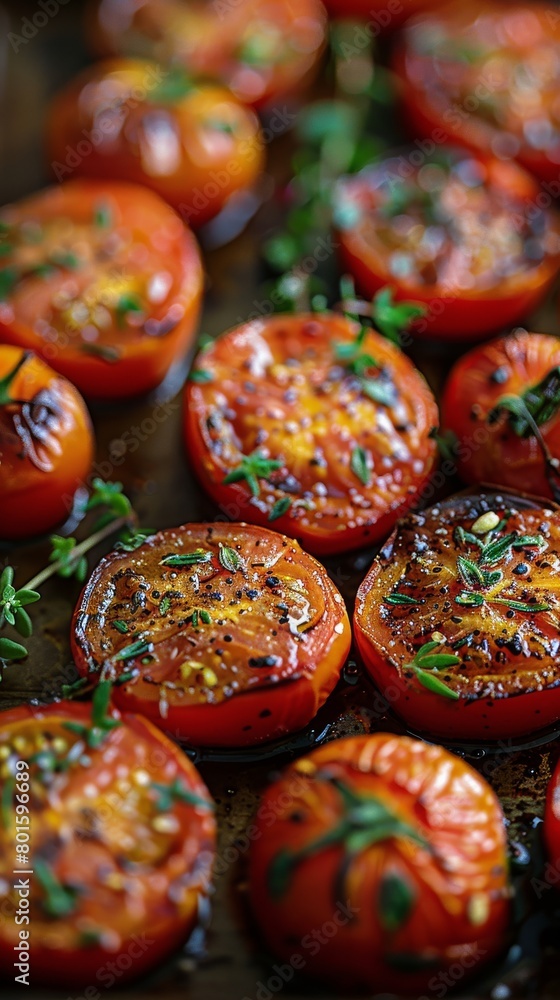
{"x": 451, "y": 314}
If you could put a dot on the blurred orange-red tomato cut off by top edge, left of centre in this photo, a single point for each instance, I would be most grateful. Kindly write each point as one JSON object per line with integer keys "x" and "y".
{"x": 262, "y": 50}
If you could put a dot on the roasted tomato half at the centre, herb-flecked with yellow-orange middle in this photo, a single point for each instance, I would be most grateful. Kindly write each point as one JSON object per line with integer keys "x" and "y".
{"x": 308, "y": 422}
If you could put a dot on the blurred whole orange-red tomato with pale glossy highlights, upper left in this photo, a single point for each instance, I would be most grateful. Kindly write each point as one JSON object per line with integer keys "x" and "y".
{"x": 194, "y": 144}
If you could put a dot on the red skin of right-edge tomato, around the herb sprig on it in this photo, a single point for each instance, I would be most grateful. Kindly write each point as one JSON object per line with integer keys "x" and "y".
{"x": 493, "y": 452}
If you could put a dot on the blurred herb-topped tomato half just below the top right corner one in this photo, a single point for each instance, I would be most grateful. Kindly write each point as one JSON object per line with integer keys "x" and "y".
{"x": 462, "y": 235}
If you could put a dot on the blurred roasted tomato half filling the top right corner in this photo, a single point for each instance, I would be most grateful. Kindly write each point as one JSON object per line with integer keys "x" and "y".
{"x": 486, "y": 75}
